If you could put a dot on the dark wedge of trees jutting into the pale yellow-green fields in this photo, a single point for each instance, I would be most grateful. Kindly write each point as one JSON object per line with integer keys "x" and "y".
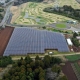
{"x": 66, "y": 10}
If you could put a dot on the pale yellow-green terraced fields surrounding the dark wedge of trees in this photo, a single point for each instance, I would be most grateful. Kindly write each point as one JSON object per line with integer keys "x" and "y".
{"x": 32, "y": 12}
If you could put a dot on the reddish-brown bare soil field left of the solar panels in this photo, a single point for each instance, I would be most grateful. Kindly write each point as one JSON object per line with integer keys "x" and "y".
{"x": 5, "y": 35}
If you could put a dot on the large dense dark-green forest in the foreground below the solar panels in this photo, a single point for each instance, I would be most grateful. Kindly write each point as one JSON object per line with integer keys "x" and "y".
{"x": 28, "y": 69}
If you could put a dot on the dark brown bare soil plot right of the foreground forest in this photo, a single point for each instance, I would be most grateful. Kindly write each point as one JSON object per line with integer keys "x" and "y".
{"x": 68, "y": 71}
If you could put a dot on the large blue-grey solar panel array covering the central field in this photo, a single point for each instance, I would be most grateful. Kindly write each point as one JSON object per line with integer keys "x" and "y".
{"x": 27, "y": 40}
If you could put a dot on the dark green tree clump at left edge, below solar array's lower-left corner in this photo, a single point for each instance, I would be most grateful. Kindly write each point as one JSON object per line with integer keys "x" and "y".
{"x": 4, "y": 61}
